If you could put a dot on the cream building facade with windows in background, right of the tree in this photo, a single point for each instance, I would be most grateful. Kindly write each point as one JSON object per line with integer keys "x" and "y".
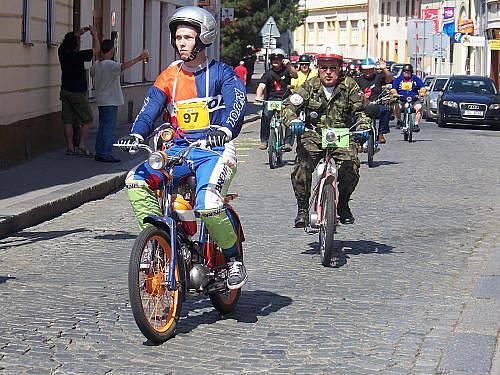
{"x": 342, "y": 24}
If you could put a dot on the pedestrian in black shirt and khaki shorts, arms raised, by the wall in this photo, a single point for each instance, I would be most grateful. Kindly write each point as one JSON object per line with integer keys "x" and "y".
{"x": 75, "y": 104}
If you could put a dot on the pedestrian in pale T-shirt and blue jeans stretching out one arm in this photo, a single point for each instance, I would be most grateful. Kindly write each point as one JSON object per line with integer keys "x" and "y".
{"x": 109, "y": 96}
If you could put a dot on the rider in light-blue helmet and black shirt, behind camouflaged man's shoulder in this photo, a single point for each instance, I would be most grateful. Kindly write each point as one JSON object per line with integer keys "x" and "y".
{"x": 371, "y": 84}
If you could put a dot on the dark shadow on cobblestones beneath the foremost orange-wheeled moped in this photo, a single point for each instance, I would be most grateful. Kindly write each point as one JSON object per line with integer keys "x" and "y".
{"x": 252, "y": 305}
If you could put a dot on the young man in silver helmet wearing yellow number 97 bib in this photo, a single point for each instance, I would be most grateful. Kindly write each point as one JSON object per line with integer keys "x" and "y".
{"x": 205, "y": 100}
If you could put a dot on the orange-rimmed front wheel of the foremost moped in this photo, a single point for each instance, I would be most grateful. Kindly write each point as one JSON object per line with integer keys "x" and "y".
{"x": 156, "y": 310}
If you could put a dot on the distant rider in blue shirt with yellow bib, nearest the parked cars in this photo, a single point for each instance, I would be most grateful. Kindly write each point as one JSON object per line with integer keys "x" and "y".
{"x": 408, "y": 85}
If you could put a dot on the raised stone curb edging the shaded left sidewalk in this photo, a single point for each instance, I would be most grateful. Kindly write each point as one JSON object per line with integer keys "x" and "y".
{"x": 61, "y": 201}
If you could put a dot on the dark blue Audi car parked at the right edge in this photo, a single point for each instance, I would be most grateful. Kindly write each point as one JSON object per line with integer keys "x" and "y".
{"x": 469, "y": 100}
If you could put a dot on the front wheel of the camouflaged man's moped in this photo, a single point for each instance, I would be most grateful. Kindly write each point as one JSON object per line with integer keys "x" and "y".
{"x": 327, "y": 227}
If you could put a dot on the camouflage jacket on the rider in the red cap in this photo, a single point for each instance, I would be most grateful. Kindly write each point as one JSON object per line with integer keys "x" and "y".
{"x": 343, "y": 110}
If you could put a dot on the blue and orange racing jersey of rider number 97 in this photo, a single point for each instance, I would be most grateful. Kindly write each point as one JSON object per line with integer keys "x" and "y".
{"x": 224, "y": 96}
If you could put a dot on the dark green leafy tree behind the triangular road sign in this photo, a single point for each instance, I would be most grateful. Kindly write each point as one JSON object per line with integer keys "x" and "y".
{"x": 250, "y": 16}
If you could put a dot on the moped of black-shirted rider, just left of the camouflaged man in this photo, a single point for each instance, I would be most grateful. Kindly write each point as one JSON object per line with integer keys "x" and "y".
{"x": 276, "y": 142}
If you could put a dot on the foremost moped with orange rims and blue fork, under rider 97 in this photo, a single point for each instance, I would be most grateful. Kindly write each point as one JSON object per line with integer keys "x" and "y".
{"x": 175, "y": 256}
